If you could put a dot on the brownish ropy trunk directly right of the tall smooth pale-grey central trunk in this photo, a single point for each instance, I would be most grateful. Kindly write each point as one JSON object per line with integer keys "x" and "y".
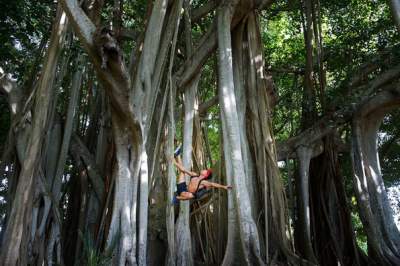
{"x": 257, "y": 85}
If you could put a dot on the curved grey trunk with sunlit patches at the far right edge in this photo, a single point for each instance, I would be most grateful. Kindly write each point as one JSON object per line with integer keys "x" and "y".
{"x": 375, "y": 211}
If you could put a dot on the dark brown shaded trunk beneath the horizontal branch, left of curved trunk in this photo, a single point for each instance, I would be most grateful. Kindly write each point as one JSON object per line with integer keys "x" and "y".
{"x": 332, "y": 230}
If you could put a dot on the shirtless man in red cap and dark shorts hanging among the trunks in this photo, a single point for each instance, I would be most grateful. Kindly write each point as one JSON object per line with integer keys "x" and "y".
{"x": 197, "y": 182}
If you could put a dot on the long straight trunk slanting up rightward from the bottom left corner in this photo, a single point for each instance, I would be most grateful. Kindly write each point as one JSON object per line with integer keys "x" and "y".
{"x": 20, "y": 215}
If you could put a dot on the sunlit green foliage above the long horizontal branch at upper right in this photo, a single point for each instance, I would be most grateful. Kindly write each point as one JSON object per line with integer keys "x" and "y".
{"x": 352, "y": 31}
